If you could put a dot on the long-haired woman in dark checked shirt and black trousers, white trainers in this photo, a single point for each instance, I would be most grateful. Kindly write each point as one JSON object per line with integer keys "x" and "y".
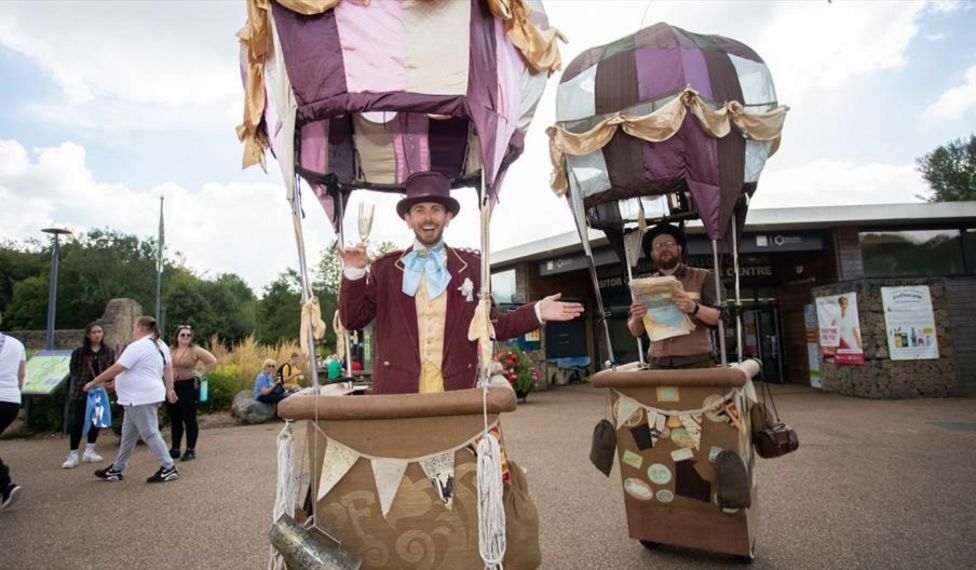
{"x": 87, "y": 361}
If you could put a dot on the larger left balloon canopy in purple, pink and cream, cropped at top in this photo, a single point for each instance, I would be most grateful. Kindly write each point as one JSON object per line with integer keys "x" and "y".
{"x": 361, "y": 95}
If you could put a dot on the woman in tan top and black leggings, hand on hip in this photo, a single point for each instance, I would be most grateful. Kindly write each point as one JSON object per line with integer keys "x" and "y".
{"x": 190, "y": 363}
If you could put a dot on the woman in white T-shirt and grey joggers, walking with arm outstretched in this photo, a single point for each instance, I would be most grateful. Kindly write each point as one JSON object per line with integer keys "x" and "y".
{"x": 143, "y": 379}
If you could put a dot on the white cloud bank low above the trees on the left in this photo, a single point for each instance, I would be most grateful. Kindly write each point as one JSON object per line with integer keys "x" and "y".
{"x": 220, "y": 228}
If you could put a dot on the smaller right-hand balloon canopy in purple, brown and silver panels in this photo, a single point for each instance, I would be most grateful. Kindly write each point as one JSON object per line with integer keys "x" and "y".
{"x": 664, "y": 111}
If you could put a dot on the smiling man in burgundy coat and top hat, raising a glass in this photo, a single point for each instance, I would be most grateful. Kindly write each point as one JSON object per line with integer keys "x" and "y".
{"x": 423, "y": 300}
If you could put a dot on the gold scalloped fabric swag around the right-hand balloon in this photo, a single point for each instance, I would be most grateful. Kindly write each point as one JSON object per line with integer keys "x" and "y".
{"x": 659, "y": 126}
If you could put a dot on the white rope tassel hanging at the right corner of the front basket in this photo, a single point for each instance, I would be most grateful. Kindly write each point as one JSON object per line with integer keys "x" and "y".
{"x": 491, "y": 511}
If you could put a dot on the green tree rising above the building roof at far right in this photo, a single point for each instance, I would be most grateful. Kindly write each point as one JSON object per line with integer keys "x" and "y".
{"x": 951, "y": 171}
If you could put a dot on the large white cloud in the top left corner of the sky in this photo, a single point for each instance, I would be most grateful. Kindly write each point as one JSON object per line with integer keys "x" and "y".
{"x": 130, "y": 65}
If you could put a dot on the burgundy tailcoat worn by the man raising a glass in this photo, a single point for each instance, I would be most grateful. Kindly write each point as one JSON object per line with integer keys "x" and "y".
{"x": 396, "y": 368}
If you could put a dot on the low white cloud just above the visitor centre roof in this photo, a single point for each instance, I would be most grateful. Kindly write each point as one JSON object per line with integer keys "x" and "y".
{"x": 839, "y": 183}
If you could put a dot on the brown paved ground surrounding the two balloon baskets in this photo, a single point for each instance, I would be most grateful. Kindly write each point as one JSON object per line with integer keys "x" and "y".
{"x": 875, "y": 484}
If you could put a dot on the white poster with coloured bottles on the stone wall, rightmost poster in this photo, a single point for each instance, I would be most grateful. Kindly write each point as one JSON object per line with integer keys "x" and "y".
{"x": 909, "y": 323}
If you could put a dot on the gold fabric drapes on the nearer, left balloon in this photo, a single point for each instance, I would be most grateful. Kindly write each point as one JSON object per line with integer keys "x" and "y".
{"x": 538, "y": 47}
